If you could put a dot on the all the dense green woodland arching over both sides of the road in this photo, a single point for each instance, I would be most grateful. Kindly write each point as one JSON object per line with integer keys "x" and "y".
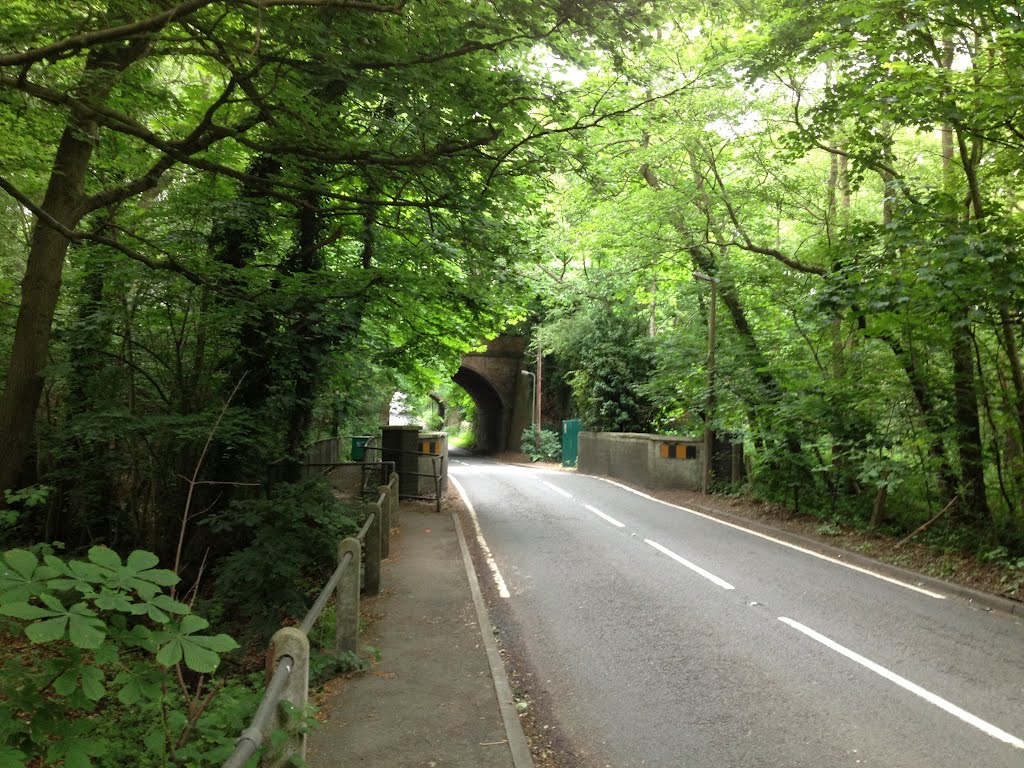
{"x": 232, "y": 228}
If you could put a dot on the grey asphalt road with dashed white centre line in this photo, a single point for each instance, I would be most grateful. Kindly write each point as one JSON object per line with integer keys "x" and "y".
{"x": 660, "y": 637}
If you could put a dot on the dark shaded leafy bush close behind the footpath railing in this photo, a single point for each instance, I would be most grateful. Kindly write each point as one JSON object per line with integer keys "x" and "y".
{"x": 292, "y": 540}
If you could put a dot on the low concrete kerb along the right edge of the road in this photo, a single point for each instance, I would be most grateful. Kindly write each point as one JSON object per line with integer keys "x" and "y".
{"x": 985, "y": 600}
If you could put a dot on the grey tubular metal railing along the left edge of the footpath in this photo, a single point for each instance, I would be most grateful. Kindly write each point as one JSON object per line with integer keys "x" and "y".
{"x": 377, "y": 528}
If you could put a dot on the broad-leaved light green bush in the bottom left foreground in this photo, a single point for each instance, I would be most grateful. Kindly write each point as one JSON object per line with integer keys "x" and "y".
{"x": 112, "y": 680}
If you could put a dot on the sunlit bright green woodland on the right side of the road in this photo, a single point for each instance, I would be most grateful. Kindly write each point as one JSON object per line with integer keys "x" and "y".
{"x": 847, "y": 175}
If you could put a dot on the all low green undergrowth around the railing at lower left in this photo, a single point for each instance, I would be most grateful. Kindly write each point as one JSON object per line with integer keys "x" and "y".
{"x": 106, "y": 662}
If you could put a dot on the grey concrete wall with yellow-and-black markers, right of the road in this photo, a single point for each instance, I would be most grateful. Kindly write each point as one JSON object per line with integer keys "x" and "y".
{"x": 652, "y": 461}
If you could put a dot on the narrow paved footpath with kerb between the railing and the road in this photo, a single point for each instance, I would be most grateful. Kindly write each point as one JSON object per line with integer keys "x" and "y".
{"x": 436, "y": 700}
